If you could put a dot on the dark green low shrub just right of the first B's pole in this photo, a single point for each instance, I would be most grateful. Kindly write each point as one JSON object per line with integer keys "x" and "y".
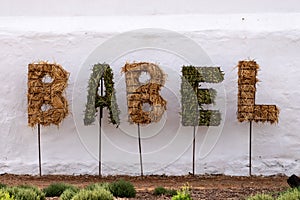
{"x": 56, "y": 189}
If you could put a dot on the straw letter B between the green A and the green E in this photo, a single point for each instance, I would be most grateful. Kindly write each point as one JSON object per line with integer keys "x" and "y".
{"x": 139, "y": 93}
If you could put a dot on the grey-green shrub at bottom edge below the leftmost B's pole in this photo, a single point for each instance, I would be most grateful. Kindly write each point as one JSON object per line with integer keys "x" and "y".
{"x": 23, "y": 193}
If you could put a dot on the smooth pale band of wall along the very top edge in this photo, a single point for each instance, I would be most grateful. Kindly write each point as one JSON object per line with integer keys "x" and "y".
{"x": 146, "y": 7}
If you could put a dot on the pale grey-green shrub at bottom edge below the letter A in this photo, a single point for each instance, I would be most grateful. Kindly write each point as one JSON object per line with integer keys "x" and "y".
{"x": 99, "y": 194}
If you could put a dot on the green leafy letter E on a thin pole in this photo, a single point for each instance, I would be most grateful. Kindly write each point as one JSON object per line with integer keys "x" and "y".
{"x": 192, "y": 97}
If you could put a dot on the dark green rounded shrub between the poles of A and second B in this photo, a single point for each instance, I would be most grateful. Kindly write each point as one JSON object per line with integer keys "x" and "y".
{"x": 122, "y": 189}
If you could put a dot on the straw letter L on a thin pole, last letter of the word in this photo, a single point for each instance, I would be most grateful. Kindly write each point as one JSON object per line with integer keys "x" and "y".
{"x": 247, "y": 109}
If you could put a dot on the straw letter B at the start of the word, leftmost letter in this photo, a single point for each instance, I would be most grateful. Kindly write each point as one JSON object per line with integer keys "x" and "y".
{"x": 46, "y": 104}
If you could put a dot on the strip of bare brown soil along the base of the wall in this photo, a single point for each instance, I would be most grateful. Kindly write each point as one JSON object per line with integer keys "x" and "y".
{"x": 202, "y": 187}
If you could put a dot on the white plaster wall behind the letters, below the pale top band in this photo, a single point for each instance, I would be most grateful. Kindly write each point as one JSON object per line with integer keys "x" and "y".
{"x": 271, "y": 39}
